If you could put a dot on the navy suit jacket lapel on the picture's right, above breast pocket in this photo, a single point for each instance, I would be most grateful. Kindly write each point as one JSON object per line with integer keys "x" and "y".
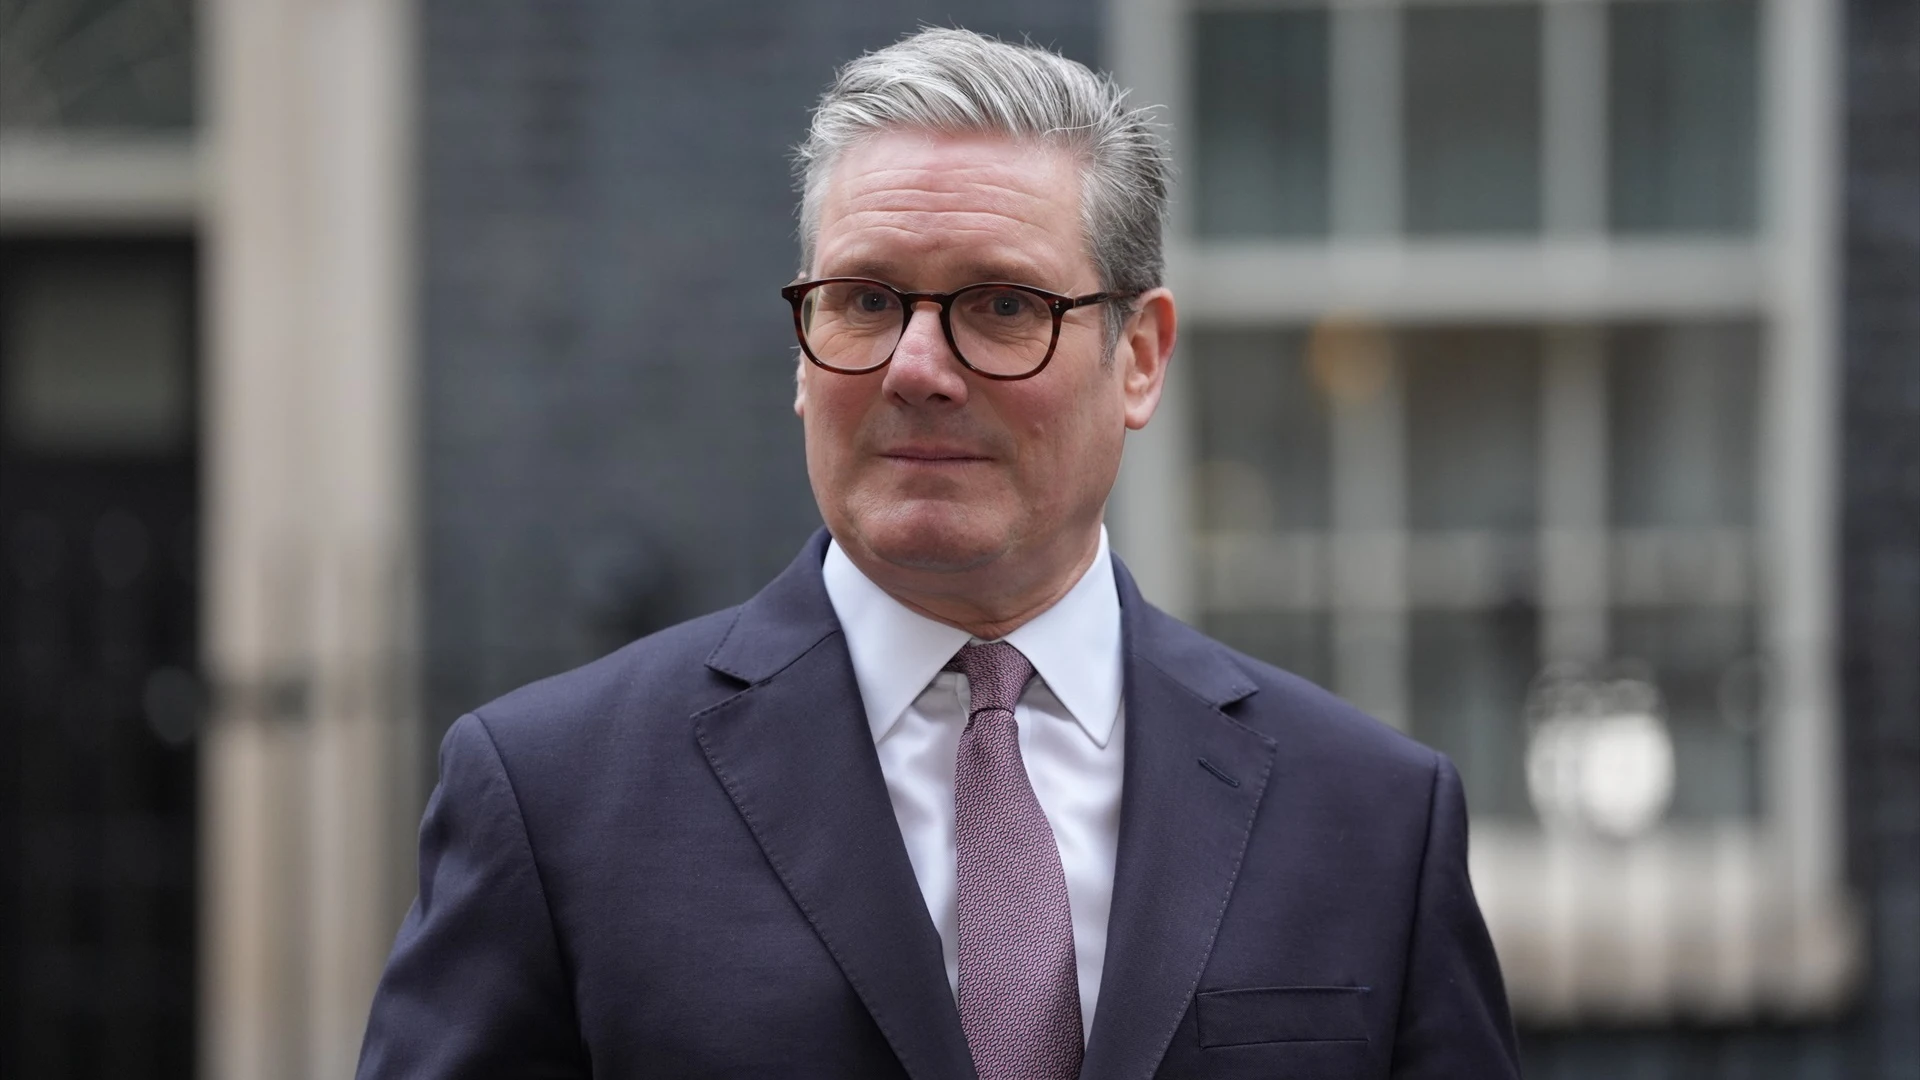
{"x": 1193, "y": 783}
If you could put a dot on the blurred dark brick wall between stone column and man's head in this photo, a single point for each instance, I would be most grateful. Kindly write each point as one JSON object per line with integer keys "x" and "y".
{"x": 608, "y": 214}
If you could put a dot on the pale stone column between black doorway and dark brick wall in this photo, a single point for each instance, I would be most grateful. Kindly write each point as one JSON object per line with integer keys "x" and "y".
{"x": 310, "y": 764}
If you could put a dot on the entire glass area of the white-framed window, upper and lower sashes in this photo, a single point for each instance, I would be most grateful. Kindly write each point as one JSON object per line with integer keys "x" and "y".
{"x": 1637, "y": 564}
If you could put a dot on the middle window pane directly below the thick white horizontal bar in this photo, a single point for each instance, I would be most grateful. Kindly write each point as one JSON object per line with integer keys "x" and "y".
{"x": 1474, "y": 418}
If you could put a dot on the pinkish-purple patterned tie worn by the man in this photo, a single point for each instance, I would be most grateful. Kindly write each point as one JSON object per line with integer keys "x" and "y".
{"x": 1019, "y": 981}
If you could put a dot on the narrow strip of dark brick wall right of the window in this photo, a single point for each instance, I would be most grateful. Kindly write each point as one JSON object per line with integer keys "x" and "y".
{"x": 1881, "y": 518}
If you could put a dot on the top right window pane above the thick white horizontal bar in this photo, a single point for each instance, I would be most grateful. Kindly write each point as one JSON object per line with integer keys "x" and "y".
{"x": 1683, "y": 110}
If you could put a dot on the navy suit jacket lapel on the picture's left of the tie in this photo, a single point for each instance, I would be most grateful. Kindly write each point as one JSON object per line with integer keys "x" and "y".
{"x": 796, "y": 756}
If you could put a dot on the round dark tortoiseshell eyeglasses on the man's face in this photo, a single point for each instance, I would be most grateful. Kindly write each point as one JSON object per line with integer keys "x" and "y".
{"x": 997, "y": 330}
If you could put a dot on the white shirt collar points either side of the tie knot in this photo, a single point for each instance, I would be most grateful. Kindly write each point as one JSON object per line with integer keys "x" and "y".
{"x": 898, "y": 652}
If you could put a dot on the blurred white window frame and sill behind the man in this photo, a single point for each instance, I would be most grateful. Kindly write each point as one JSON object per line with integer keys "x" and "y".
{"x": 1712, "y": 921}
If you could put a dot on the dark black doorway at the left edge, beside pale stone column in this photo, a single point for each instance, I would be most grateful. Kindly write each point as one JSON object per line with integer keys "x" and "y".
{"x": 99, "y": 641}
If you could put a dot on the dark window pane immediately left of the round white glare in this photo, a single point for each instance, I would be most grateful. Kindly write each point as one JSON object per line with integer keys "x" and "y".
{"x": 1468, "y": 687}
